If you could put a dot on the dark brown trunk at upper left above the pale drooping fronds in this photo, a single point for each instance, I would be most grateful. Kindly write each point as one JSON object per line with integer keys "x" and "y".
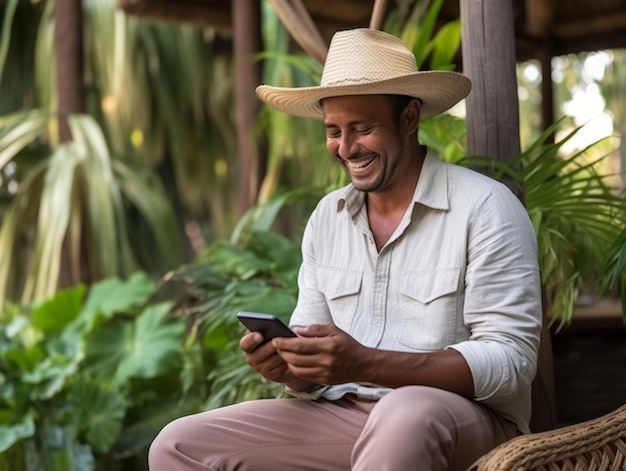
{"x": 68, "y": 40}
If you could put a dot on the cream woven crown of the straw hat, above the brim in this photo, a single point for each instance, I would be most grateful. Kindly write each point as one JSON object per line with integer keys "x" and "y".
{"x": 366, "y": 55}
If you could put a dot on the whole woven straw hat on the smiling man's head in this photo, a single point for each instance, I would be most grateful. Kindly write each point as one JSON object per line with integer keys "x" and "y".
{"x": 370, "y": 62}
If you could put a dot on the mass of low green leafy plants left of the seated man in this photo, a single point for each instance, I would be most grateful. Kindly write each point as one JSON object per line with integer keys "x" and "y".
{"x": 89, "y": 376}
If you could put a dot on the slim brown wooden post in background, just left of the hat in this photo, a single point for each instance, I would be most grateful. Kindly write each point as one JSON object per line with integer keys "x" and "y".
{"x": 246, "y": 43}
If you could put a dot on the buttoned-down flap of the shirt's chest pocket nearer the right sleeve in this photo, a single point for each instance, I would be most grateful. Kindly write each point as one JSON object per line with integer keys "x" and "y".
{"x": 428, "y": 285}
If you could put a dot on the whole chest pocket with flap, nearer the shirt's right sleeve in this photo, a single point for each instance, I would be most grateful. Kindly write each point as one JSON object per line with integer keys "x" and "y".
{"x": 429, "y": 308}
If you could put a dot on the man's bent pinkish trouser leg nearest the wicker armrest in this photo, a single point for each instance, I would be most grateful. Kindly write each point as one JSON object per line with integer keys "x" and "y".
{"x": 418, "y": 428}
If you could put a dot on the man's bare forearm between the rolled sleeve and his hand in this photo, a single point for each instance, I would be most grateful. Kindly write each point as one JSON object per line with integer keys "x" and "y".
{"x": 446, "y": 369}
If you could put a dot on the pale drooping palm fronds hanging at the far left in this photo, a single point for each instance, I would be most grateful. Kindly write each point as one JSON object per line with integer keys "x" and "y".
{"x": 79, "y": 199}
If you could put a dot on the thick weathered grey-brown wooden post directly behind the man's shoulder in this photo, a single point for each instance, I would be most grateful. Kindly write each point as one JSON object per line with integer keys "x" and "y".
{"x": 488, "y": 48}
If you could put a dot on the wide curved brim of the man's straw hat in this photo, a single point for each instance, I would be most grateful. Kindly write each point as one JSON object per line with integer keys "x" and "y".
{"x": 438, "y": 91}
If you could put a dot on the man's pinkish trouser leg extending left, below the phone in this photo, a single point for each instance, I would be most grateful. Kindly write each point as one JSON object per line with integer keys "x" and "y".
{"x": 271, "y": 434}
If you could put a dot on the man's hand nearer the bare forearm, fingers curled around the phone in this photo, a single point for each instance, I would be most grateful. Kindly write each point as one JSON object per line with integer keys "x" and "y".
{"x": 322, "y": 354}
